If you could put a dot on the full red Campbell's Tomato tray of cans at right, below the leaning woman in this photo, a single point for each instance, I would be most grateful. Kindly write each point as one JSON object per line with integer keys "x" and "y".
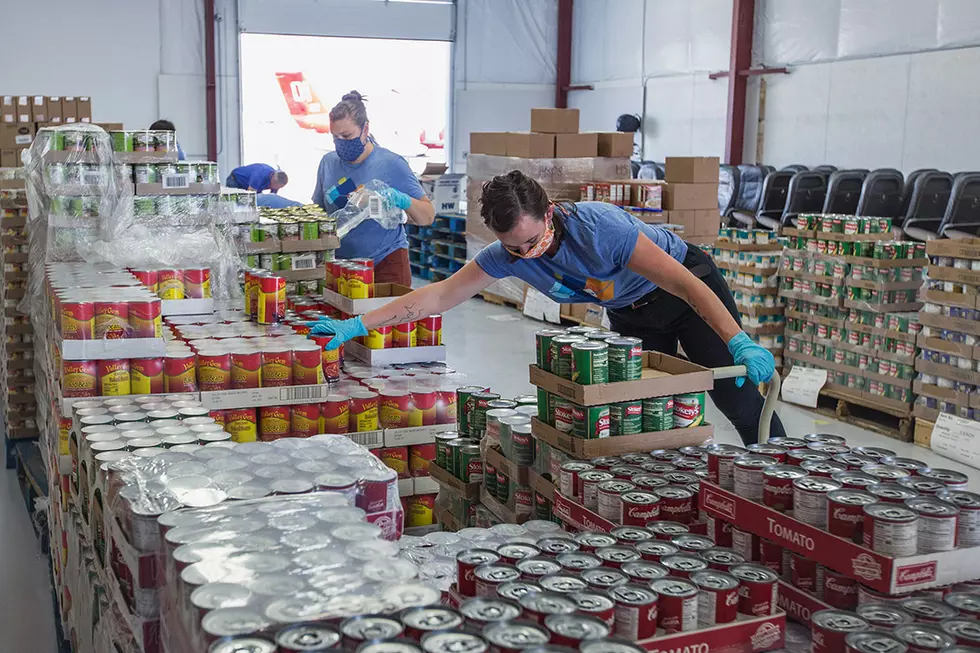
{"x": 873, "y": 521}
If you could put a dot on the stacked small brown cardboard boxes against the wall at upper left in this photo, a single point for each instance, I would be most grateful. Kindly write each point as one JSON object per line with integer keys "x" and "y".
{"x": 22, "y": 115}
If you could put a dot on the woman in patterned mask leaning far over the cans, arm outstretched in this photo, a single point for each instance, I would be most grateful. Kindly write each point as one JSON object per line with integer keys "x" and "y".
{"x": 655, "y": 286}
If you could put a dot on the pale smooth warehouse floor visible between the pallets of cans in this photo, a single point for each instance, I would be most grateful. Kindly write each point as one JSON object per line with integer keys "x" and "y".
{"x": 490, "y": 344}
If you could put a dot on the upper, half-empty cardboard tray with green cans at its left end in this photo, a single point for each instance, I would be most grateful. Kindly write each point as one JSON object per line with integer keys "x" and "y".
{"x": 593, "y": 367}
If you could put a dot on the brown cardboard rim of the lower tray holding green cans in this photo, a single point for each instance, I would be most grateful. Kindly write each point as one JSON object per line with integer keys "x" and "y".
{"x": 583, "y": 448}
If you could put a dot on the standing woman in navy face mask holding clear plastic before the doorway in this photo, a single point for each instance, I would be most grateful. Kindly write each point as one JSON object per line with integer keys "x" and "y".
{"x": 356, "y": 160}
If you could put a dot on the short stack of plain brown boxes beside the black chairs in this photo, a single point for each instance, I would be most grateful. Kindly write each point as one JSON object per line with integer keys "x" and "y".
{"x": 690, "y": 197}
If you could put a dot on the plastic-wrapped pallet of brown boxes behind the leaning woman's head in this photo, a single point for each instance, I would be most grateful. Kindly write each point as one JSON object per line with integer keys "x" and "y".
{"x": 555, "y": 154}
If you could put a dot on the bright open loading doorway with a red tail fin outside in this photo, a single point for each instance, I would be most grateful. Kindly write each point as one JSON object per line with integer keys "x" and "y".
{"x": 290, "y": 83}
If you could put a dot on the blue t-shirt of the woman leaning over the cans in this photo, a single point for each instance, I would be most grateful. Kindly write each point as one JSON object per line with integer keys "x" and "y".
{"x": 591, "y": 262}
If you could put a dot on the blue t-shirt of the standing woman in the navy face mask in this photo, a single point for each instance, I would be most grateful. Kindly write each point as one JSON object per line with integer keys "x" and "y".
{"x": 336, "y": 179}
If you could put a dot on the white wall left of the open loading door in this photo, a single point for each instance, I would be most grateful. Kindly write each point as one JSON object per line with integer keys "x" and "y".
{"x": 139, "y": 60}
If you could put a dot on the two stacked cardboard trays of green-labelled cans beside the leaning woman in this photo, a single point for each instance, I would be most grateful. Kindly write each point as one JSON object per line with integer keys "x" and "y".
{"x": 599, "y": 394}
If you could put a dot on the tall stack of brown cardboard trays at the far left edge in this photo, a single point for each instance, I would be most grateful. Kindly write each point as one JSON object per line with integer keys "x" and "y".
{"x": 16, "y": 347}
